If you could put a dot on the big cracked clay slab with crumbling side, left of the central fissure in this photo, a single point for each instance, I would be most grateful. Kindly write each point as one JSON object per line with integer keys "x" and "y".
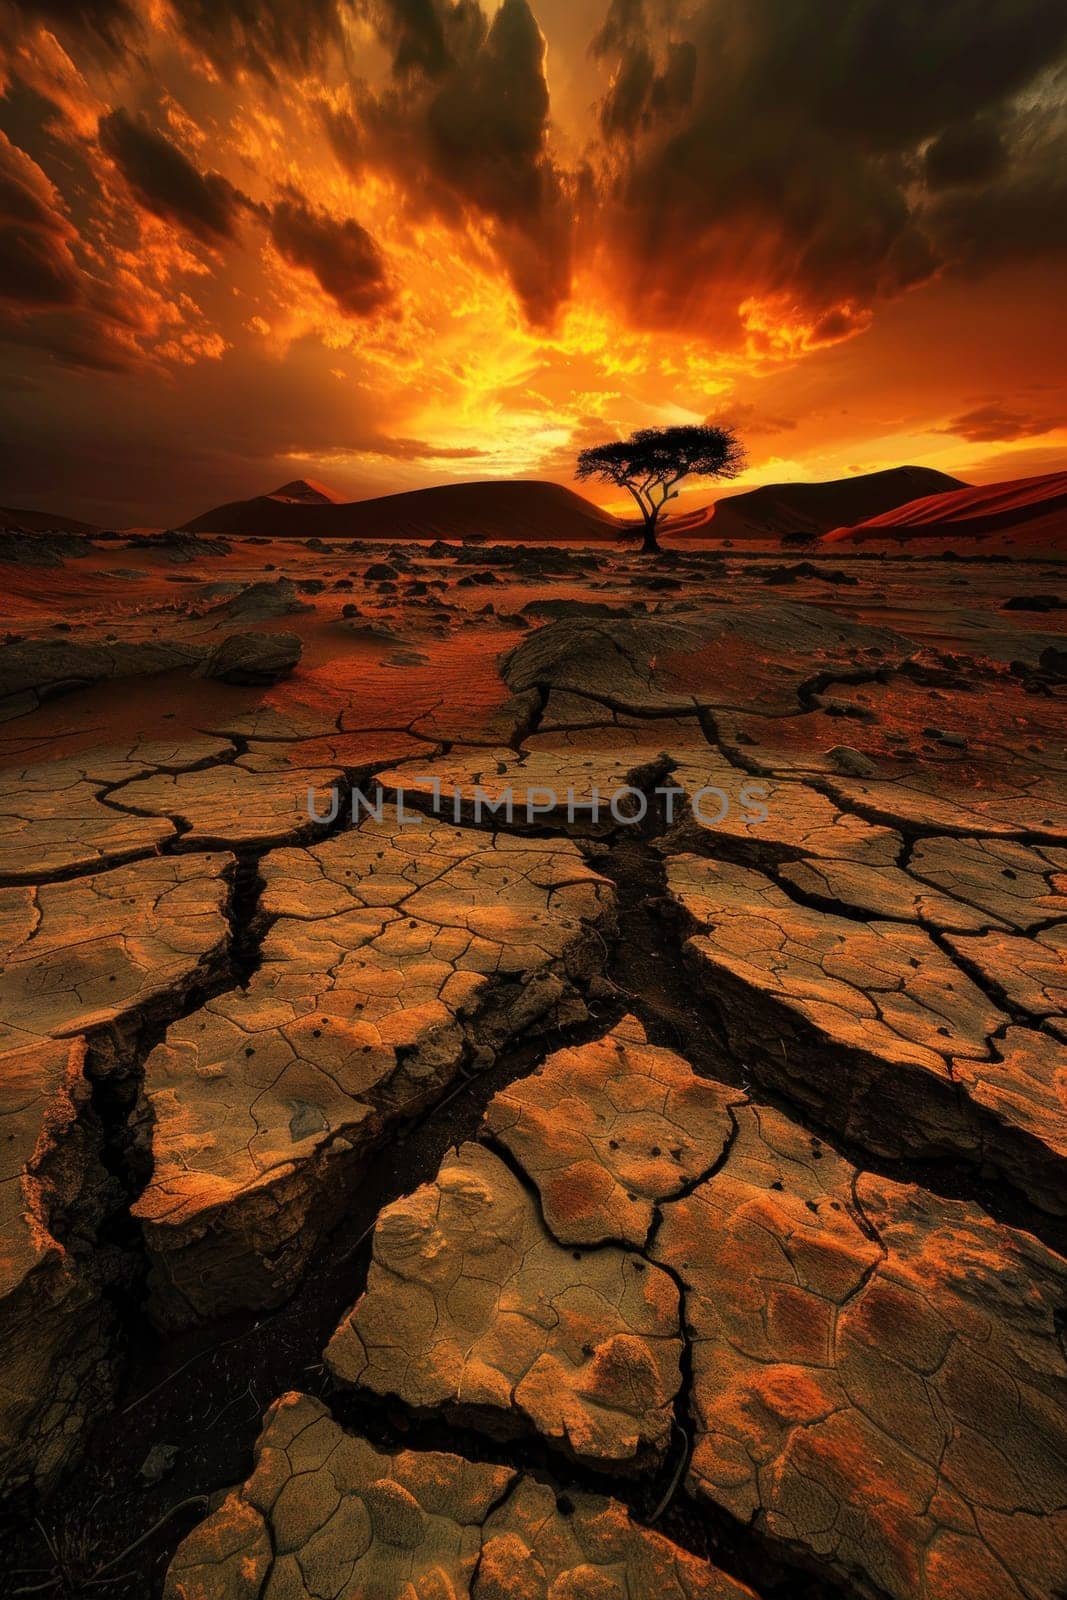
{"x": 394, "y": 958}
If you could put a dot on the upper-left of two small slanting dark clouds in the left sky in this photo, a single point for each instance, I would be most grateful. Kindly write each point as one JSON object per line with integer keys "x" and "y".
{"x": 167, "y": 183}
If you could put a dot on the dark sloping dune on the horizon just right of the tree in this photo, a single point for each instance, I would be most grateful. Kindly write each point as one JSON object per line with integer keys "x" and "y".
{"x": 781, "y": 510}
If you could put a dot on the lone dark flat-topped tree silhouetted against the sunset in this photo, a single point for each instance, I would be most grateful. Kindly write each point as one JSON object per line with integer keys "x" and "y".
{"x": 653, "y": 462}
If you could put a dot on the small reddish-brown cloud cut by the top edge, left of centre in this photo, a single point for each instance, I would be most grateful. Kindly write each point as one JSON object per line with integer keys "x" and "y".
{"x": 271, "y": 38}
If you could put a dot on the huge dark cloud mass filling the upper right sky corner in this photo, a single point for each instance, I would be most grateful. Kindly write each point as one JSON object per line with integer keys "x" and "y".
{"x": 788, "y": 151}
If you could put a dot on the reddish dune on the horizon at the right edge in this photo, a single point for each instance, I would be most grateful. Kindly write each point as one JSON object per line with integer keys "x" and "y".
{"x": 1018, "y": 518}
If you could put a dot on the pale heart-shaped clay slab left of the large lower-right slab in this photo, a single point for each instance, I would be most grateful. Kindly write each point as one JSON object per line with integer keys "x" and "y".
{"x": 471, "y": 1306}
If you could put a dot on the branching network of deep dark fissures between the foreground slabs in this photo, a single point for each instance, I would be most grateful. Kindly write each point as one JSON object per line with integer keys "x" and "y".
{"x": 207, "y": 1390}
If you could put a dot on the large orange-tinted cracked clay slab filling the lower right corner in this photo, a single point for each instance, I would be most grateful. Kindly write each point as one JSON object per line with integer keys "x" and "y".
{"x": 877, "y": 1372}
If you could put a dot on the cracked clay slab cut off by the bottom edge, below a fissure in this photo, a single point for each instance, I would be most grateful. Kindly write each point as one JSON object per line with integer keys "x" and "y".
{"x": 326, "y": 1514}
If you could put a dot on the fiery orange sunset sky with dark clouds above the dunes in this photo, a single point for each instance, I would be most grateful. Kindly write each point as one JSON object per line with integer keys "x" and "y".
{"x": 401, "y": 242}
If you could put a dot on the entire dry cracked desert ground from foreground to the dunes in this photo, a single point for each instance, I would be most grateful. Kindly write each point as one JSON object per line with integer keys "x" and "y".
{"x": 478, "y": 1190}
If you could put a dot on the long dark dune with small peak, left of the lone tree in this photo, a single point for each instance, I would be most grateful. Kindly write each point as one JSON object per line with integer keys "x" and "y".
{"x": 533, "y": 513}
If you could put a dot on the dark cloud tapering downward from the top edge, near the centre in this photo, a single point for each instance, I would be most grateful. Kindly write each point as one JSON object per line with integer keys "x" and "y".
{"x": 466, "y": 130}
